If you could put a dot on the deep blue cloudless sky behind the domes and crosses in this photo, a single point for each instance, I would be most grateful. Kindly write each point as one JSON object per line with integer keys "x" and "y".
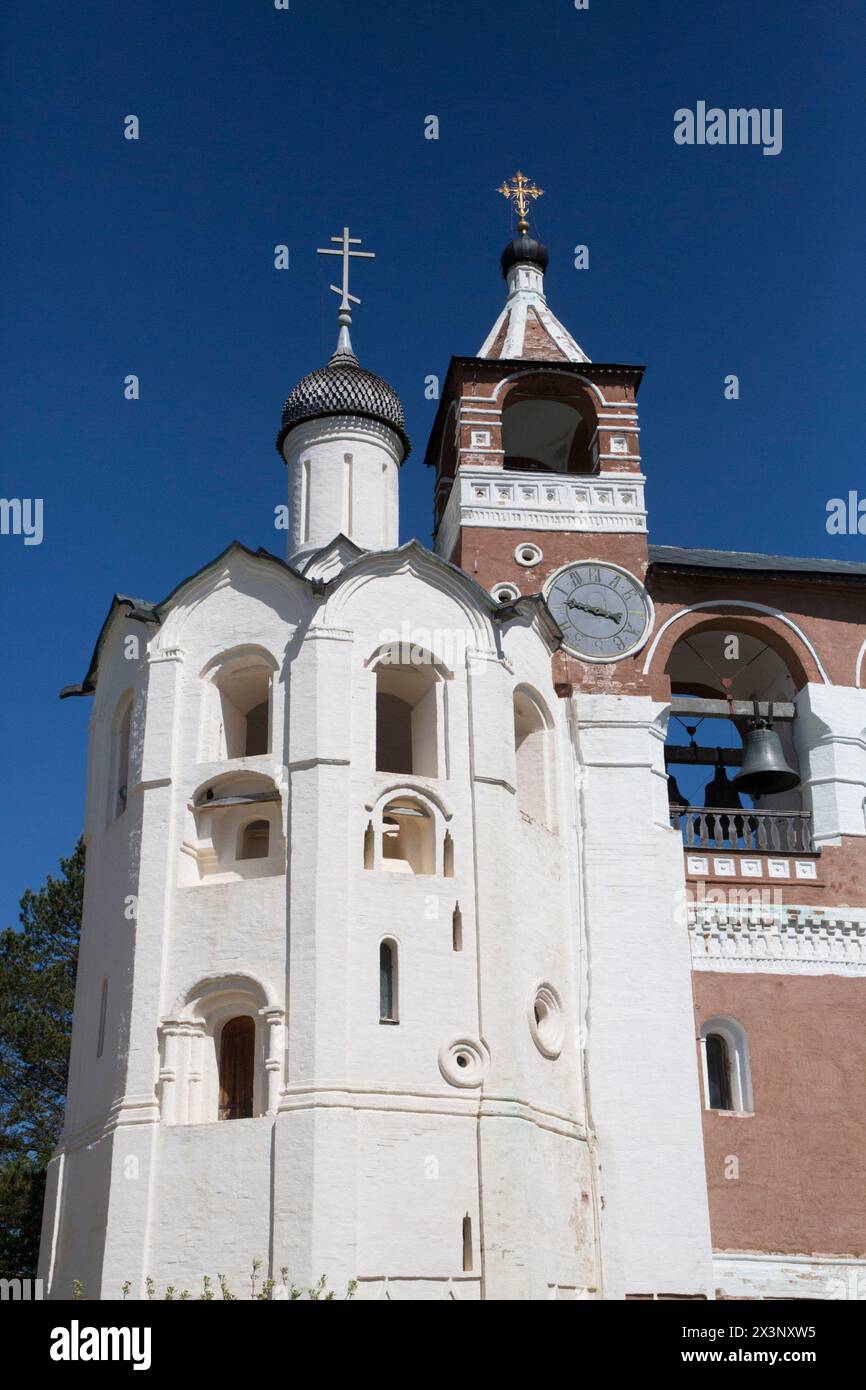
{"x": 263, "y": 127}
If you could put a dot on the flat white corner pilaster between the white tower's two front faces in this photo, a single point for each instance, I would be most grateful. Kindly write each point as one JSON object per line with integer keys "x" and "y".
{"x": 315, "y": 1221}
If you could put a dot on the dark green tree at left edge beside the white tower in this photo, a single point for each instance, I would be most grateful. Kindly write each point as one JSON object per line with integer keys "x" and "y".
{"x": 37, "y": 992}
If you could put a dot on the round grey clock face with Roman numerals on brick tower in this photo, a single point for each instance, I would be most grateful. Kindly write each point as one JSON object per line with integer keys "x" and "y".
{"x": 603, "y": 611}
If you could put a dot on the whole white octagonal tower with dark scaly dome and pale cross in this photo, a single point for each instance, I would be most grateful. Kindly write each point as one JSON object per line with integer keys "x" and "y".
{"x": 340, "y": 1031}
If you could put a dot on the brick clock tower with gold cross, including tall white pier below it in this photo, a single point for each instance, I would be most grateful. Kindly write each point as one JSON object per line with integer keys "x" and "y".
{"x": 540, "y": 491}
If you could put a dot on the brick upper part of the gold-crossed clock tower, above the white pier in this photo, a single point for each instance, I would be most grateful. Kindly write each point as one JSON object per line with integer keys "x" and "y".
{"x": 539, "y": 466}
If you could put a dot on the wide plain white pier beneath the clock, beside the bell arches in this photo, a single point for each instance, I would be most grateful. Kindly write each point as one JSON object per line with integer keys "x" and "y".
{"x": 643, "y": 1065}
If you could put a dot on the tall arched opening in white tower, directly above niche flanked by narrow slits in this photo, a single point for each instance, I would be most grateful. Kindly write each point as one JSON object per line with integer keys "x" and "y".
{"x": 409, "y": 715}
